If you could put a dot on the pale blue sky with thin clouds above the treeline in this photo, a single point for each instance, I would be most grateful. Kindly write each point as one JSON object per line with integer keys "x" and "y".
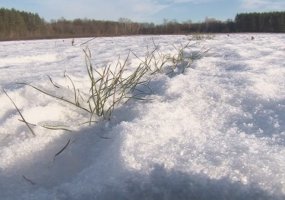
{"x": 143, "y": 10}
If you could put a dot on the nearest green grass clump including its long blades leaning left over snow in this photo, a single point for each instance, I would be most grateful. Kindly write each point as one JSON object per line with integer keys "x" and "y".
{"x": 108, "y": 88}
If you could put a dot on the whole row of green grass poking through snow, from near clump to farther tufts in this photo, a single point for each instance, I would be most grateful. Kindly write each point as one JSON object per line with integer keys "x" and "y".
{"x": 114, "y": 85}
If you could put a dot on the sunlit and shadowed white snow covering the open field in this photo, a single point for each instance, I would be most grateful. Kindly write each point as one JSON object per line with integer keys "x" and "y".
{"x": 215, "y": 132}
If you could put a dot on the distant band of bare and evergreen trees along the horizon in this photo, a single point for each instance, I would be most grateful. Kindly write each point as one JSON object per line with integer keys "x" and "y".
{"x": 16, "y": 24}
